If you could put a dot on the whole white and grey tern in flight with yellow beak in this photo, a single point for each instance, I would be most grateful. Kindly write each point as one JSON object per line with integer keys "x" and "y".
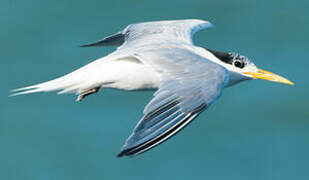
{"x": 159, "y": 55}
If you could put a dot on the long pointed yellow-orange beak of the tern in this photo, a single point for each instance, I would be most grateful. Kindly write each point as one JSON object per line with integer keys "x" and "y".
{"x": 262, "y": 74}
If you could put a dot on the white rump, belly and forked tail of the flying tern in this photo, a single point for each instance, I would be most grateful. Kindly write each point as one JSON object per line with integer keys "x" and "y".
{"x": 108, "y": 72}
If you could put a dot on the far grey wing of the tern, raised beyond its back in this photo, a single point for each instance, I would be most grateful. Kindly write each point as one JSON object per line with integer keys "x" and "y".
{"x": 156, "y": 31}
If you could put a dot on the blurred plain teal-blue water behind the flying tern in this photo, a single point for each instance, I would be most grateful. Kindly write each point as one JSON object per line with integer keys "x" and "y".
{"x": 258, "y": 130}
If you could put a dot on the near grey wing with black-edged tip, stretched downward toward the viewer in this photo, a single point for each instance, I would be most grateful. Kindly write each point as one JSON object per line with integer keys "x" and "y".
{"x": 189, "y": 84}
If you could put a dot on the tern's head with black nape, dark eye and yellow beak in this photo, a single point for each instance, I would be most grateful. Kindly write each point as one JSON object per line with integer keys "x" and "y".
{"x": 241, "y": 68}
